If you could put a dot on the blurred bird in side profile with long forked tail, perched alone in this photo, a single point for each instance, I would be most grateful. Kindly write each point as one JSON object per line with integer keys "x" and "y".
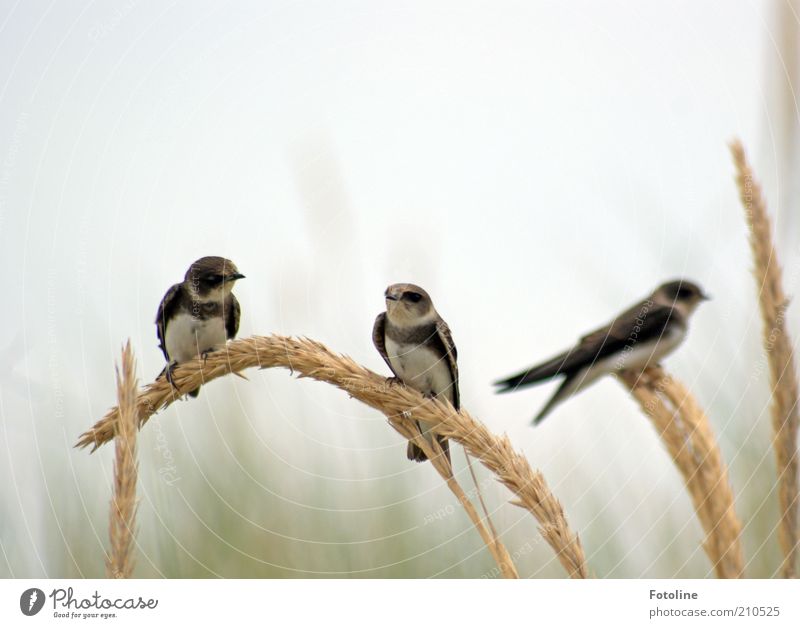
{"x": 638, "y": 337}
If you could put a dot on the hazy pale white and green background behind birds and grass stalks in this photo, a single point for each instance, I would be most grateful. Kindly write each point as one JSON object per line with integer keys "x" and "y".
{"x": 536, "y": 166}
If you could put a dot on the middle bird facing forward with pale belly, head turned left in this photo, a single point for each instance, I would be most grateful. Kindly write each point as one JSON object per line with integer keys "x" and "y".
{"x": 417, "y": 345}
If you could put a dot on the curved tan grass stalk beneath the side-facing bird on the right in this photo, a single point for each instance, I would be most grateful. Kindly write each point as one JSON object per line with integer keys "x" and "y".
{"x": 687, "y": 435}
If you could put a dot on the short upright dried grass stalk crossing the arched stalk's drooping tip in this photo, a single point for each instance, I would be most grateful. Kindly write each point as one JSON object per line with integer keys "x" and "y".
{"x": 122, "y": 518}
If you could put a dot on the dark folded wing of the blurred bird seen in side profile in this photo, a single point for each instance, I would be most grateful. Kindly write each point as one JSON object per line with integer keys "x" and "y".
{"x": 598, "y": 344}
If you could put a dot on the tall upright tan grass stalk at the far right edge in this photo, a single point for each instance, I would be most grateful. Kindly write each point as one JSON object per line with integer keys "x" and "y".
{"x": 778, "y": 345}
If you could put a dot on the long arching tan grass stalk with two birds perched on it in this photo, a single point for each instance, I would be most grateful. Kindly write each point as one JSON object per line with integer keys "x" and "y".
{"x": 401, "y": 405}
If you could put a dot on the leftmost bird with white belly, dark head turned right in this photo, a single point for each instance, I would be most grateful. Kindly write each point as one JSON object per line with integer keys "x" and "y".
{"x": 199, "y": 314}
